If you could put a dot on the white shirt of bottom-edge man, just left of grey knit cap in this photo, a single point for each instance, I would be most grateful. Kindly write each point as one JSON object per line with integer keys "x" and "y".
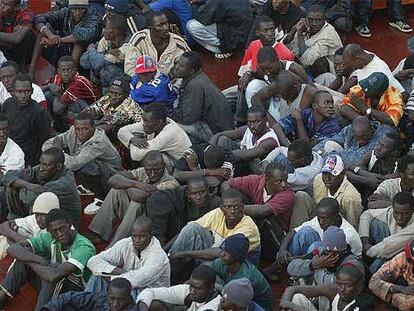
{"x": 176, "y": 295}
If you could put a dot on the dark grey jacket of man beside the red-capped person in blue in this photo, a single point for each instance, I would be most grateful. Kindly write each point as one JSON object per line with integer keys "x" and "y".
{"x": 200, "y": 100}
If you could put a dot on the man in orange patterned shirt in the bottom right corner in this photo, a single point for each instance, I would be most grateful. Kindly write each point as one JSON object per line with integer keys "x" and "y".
{"x": 393, "y": 281}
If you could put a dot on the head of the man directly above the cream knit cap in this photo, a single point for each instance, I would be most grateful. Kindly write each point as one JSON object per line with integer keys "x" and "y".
{"x": 51, "y": 162}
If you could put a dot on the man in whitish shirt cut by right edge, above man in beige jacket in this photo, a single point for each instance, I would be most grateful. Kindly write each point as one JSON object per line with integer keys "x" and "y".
{"x": 384, "y": 194}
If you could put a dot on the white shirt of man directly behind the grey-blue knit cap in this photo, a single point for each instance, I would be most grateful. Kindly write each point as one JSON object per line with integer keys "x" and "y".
{"x": 352, "y": 236}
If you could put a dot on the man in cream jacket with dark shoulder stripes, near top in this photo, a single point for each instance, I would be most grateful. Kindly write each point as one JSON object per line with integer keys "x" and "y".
{"x": 157, "y": 42}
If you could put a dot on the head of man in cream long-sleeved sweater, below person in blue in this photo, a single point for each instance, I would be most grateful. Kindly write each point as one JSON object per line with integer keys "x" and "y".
{"x": 154, "y": 118}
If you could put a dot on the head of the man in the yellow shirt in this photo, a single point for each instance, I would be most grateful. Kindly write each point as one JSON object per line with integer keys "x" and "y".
{"x": 232, "y": 207}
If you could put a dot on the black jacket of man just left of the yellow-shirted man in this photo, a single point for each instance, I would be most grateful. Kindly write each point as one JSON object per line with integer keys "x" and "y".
{"x": 171, "y": 210}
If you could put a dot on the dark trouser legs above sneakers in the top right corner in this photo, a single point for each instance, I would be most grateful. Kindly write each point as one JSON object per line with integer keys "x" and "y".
{"x": 363, "y": 11}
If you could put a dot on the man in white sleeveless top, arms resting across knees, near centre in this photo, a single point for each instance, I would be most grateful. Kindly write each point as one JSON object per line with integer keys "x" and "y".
{"x": 257, "y": 140}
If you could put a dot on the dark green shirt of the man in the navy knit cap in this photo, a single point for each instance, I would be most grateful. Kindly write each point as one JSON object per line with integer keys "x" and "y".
{"x": 262, "y": 291}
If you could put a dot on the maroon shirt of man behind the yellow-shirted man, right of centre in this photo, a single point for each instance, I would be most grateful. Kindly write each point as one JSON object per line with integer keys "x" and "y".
{"x": 281, "y": 203}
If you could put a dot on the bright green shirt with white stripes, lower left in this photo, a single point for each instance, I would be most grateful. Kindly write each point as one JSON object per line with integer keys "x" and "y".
{"x": 78, "y": 254}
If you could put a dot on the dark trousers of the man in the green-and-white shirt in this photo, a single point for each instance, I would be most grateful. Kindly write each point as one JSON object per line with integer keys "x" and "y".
{"x": 20, "y": 273}
